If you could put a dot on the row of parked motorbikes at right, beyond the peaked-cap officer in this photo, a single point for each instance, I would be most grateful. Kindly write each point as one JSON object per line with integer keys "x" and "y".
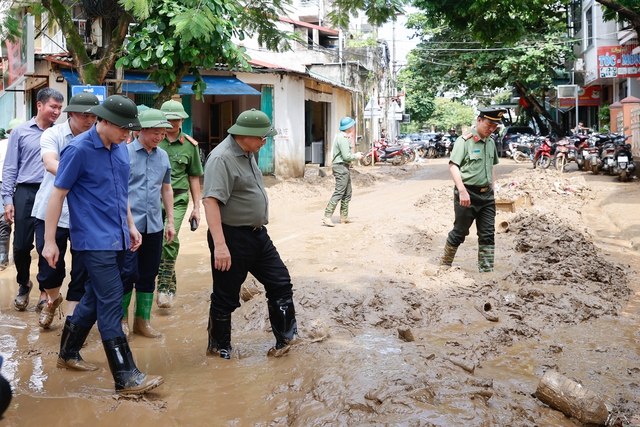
{"x": 597, "y": 152}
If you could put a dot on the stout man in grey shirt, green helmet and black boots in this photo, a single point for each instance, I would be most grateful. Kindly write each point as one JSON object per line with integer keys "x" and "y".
{"x": 237, "y": 210}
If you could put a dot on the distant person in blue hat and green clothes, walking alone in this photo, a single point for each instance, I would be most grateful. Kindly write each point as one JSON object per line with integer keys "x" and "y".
{"x": 342, "y": 158}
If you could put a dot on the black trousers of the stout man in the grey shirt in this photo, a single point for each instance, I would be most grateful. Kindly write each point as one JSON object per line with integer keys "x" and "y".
{"x": 252, "y": 251}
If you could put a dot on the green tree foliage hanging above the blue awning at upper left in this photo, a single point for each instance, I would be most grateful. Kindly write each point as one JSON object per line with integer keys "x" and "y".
{"x": 175, "y": 38}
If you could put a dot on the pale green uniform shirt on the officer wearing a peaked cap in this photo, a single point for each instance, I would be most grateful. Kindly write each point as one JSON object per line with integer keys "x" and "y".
{"x": 475, "y": 157}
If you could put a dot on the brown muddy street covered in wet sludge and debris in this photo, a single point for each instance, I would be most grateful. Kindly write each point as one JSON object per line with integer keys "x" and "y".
{"x": 565, "y": 294}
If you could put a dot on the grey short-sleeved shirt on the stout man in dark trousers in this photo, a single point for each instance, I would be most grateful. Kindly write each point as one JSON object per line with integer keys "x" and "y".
{"x": 234, "y": 179}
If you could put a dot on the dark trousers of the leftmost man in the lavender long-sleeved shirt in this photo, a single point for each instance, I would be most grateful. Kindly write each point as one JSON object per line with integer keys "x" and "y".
{"x": 24, "y": 231}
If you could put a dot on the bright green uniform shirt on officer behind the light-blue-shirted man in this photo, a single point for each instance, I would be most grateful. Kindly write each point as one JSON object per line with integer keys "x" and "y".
{"x": 185, "y": 160}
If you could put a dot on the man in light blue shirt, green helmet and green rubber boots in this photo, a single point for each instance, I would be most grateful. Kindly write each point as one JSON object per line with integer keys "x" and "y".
{"x": 149, "y": 189}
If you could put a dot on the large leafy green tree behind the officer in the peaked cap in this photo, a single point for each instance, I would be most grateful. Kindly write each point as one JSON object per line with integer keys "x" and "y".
{"x": 478, "y": 48}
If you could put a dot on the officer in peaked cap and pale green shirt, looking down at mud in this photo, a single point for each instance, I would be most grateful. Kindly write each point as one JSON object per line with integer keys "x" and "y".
{"x": 471, "y": 166}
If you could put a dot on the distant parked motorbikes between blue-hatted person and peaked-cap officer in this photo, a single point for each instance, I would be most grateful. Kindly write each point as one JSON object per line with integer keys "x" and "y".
{"x": 397, "y": 154}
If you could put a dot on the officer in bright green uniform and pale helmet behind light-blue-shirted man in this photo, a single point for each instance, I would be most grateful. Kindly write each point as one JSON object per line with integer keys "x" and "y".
{"x": 186, "y": 169}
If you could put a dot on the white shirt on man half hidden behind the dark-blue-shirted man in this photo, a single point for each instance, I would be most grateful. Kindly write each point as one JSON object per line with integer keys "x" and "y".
{"x": 53, "y": 140}
